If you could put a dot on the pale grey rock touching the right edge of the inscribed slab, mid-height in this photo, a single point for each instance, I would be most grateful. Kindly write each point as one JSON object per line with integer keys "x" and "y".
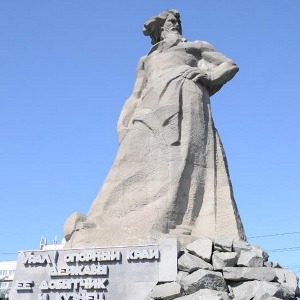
{"x": 191, "y": 263}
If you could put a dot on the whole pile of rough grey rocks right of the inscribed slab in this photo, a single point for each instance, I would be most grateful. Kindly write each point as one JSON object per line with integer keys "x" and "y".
{"x": 267, "y": 282}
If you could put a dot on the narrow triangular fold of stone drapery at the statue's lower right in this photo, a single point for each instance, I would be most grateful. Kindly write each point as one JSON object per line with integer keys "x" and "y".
{"x": 219, "y": 215}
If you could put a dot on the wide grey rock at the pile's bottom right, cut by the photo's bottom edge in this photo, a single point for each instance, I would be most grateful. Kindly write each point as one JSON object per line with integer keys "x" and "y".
{"x": 250, "y": 289}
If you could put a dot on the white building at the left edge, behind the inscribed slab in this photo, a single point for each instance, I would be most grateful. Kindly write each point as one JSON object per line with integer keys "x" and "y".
{"x": 7, "y": 270}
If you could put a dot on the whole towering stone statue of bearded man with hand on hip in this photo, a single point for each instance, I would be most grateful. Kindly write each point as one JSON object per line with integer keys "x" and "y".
{"x": 170, "y": 175}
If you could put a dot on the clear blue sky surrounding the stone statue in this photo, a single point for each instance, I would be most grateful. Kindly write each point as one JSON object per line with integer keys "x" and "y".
{"x": 66, "y": 68}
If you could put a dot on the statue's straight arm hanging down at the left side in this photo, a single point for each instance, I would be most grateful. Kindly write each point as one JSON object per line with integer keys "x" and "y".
{"x": 132, "y": 102}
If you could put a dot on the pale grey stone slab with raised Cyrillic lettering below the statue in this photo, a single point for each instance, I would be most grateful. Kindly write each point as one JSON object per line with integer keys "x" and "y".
{"x": 127, "y": 273}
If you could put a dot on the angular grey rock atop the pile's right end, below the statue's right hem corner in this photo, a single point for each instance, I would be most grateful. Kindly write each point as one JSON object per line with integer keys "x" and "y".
{"x": 252, "y": 258}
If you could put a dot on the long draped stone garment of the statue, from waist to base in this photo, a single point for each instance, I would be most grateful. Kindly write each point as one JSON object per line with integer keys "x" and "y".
{"x": 170, "y": 174}
